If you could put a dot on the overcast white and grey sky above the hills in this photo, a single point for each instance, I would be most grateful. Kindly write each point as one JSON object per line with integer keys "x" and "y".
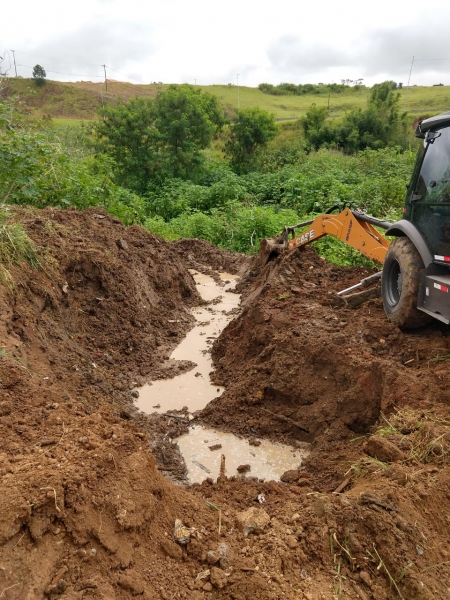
{"x": 217, "y": 41}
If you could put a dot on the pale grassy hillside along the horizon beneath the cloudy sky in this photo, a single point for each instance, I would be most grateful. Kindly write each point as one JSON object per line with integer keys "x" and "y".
{"x": 80, "y": 100}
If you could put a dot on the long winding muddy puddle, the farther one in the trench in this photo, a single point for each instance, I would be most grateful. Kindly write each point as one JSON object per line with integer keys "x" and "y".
{"x": 194, "y": 389}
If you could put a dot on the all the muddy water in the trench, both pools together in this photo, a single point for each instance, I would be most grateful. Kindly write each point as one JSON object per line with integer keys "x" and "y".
{"x": 194, "y": 390}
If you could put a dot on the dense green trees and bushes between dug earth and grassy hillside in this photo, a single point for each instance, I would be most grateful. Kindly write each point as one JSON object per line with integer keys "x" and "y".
{"x": 172, "y": 164}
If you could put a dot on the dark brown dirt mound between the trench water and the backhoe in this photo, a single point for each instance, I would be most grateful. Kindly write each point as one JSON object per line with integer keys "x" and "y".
{"x": 300, "y": 364}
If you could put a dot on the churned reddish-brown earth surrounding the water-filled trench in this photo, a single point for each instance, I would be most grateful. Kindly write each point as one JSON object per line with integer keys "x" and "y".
{"x": 85, "y": 511}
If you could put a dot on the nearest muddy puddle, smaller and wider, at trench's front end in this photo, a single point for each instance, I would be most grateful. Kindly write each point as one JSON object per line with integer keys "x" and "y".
{"x": 267, "y": 461}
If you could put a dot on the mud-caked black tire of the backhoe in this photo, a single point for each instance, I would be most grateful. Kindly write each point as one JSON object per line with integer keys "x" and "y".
{"x": 400, "y": 282}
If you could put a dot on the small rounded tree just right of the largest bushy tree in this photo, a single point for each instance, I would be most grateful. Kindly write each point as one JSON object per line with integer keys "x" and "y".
{"x": 252, "y": 131}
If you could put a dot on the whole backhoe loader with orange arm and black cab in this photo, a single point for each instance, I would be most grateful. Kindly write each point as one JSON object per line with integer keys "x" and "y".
{"x": 415, "y": 278}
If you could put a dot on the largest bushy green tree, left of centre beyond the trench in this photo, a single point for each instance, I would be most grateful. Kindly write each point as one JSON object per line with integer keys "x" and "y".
{"x": 152, "y": 140}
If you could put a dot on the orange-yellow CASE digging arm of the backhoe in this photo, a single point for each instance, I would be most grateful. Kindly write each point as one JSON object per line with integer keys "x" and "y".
{"x": 353, "y": 227}
